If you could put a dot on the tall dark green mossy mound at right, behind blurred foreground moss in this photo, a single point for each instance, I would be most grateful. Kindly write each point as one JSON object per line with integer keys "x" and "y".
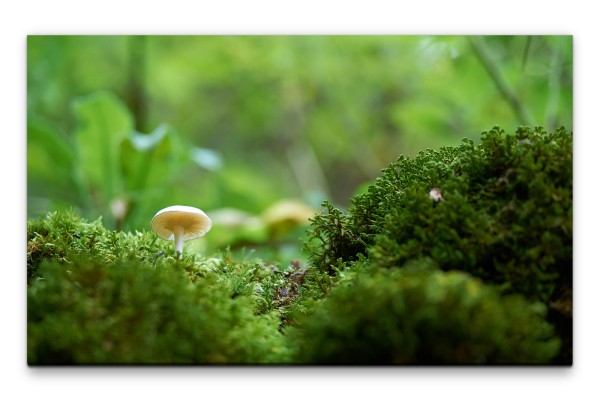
{"x": 505, "y": 216}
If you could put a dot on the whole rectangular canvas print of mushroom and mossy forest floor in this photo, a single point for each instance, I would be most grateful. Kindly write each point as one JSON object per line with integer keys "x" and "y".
{"x": 301, "y": 200}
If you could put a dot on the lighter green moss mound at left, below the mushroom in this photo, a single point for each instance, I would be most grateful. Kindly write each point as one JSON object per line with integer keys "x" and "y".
{"x": 103, "y": 297}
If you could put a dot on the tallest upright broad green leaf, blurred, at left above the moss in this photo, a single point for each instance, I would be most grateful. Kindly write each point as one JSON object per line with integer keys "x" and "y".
{"x": 103, "y": 122}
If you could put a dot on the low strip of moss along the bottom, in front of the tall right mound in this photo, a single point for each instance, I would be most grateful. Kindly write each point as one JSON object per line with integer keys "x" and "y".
{"x": 97, "y": 296}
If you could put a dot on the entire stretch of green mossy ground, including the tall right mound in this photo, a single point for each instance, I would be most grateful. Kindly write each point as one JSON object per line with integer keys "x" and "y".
{"x": 482, "y": 275}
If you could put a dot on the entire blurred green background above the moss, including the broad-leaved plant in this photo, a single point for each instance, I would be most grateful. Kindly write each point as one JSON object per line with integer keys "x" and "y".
{"x": 259, "y": 130}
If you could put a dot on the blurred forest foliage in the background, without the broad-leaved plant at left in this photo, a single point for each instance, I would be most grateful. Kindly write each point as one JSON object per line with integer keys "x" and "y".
{"x": 315, "y": 129}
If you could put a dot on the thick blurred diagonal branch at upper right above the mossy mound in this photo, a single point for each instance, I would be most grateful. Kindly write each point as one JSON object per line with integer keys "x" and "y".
{"x": 491, "y": 66}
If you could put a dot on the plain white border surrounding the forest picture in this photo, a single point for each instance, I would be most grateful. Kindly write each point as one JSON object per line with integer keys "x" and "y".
{"x": 19, "y": 19}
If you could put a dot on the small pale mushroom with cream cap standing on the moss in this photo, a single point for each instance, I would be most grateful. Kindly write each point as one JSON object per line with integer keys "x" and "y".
{"x": 180, "y": 223}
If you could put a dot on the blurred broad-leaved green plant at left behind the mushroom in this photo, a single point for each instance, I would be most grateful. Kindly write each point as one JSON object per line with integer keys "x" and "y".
{"x": 105, "y": 165}
